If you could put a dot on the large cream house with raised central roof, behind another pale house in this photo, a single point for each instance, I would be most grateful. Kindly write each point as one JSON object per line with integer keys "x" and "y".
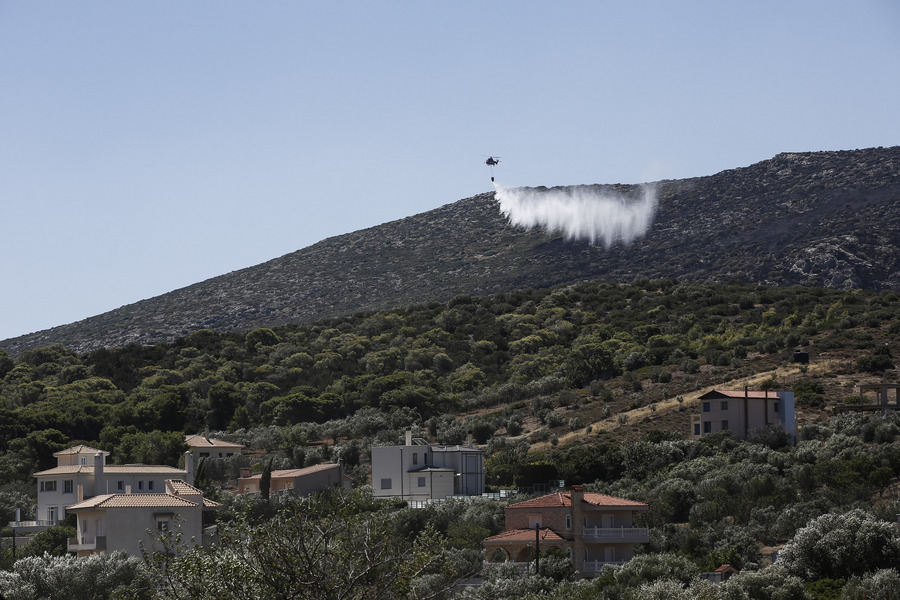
{"x": 82, "y": 472}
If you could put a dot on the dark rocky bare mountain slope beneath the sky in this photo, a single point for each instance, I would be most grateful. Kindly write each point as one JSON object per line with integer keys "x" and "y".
{"x": 827, "y": 219}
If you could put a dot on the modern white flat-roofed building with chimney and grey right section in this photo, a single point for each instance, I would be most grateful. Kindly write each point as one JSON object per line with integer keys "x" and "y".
{"x": 419, "y": 471}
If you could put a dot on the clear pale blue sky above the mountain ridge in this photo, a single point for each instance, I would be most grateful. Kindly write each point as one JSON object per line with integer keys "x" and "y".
{"x": 148, "y": 145}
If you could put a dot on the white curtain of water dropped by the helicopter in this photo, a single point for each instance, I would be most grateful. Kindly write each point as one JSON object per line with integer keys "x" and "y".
{"x": 580, "y": 213}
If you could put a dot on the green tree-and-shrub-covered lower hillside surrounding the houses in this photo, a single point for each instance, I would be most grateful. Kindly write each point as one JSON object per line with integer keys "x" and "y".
{"x": 592, "y": 383}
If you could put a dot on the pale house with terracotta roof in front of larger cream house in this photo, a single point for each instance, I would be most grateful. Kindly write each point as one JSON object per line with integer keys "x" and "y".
{"x": 110, "y": 522}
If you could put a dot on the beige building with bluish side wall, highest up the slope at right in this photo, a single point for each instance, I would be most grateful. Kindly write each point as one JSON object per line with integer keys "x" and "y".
{"x": 744, "y": 412}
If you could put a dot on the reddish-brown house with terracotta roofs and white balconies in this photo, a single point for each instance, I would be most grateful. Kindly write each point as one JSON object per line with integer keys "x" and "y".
{"x": 591, "y": 529}
